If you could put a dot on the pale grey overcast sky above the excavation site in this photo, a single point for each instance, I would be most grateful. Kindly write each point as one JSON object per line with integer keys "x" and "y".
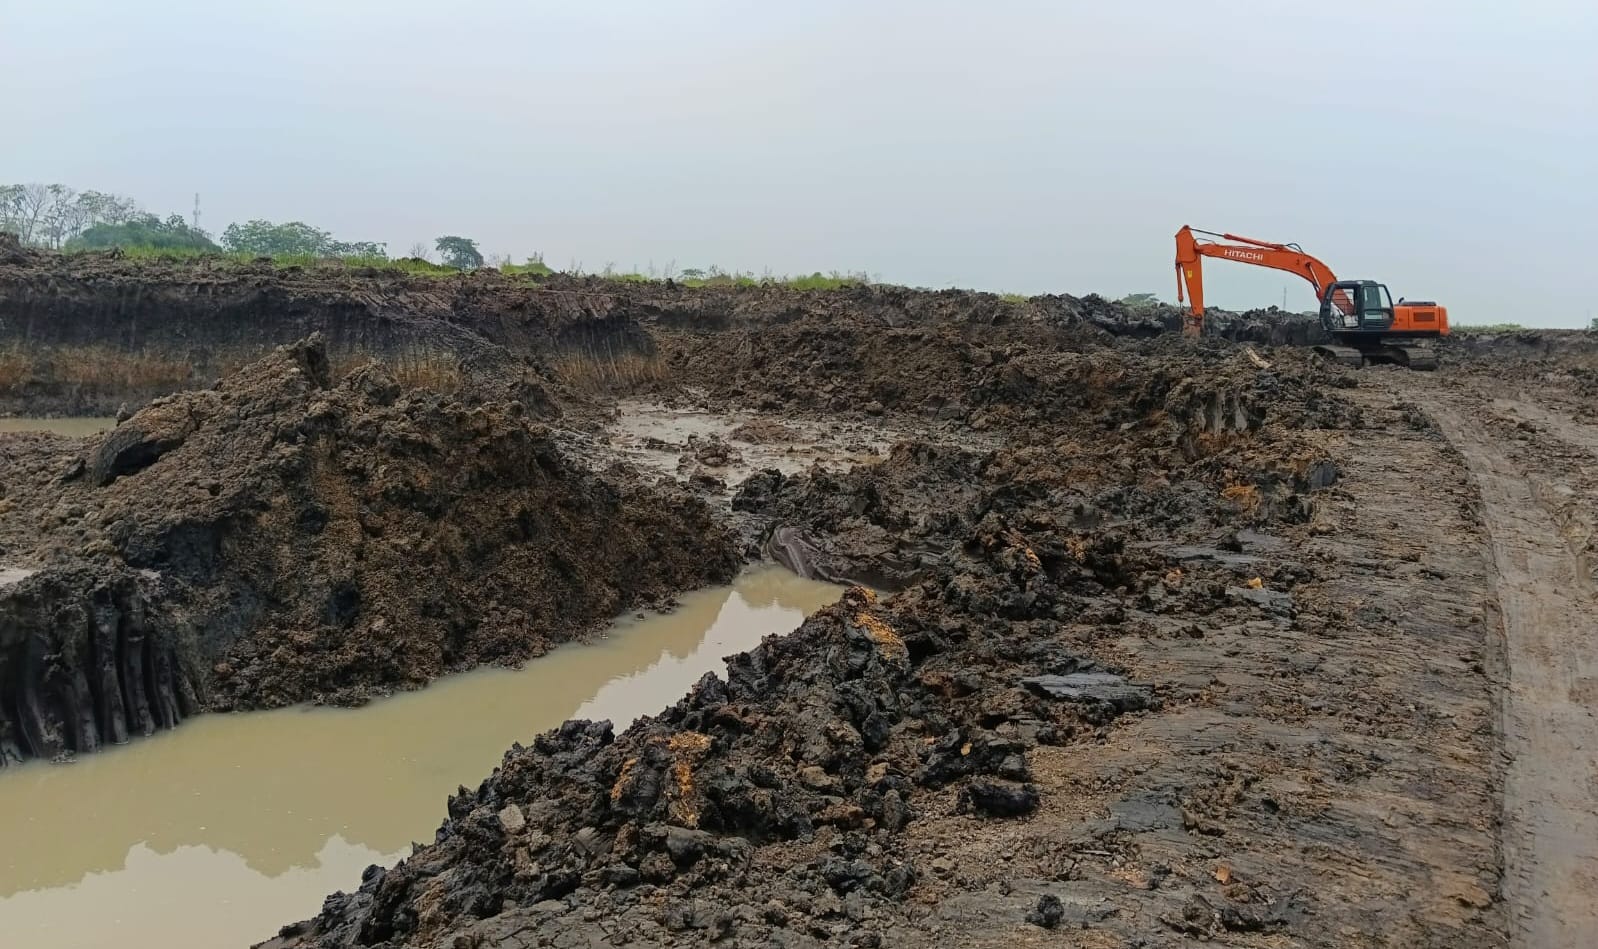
{"x": 1445, "y": 149}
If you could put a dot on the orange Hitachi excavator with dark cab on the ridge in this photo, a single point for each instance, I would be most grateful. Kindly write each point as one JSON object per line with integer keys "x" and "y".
{"x": 1359, "y": 316}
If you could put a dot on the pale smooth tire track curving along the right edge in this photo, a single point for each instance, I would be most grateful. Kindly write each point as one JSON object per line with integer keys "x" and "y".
{"x": 1549, "y": 619}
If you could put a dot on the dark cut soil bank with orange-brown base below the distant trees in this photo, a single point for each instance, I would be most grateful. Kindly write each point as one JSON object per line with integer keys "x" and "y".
{"x": 82, "y": 335}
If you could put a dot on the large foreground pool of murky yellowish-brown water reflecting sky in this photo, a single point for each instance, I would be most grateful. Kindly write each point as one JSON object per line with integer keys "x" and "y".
{"x": 218, "y": 833}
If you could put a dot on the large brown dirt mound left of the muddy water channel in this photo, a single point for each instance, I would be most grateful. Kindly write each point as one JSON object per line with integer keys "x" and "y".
{"x": 284, "y": 538}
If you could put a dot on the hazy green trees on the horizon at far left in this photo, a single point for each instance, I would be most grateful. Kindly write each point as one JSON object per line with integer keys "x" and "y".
{"x": 65, "y": 220}
